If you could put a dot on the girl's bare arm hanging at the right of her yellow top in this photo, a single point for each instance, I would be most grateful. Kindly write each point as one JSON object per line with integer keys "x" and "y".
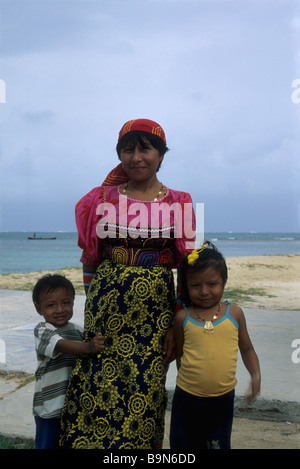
{"x": 250, "y": 358}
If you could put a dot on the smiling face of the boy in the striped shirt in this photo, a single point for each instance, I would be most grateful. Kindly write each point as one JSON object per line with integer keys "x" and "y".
{"x": 56, "y": 306}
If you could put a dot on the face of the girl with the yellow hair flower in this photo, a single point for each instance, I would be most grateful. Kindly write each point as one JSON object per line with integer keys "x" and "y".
{"x": 205, "y": 287}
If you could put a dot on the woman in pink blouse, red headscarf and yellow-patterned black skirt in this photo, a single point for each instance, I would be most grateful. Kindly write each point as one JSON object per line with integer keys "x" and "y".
{"x": 131, "y": 240}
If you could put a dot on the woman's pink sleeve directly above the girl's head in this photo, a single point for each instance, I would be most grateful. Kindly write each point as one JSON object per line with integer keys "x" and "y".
{"x": 186, "y": 243}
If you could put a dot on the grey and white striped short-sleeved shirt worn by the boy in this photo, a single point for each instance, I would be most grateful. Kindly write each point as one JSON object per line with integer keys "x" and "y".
{"x": 53, "y": 370}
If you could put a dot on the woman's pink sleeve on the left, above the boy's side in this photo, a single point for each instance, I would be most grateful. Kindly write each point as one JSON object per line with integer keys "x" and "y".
{"x": 86, "y": 221}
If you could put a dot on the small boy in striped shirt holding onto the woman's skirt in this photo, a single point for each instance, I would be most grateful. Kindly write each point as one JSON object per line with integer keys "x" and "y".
{"x": 56, "y": 341}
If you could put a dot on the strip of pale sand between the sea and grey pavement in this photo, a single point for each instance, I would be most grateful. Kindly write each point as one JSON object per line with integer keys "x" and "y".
{"x": 264, "y": 282}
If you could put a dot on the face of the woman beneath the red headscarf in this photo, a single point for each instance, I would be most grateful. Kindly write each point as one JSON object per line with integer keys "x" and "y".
{"x": 139, "y": 163}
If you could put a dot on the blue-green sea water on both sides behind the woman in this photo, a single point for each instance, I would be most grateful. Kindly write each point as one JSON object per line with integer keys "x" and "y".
{"x": 19, "y": 254}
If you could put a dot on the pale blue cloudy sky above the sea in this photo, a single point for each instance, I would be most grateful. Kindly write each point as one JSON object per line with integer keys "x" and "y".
{"x": 220, "y": 76}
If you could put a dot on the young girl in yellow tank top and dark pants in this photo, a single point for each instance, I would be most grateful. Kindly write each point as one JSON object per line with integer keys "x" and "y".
{"x": 208, "y": 334}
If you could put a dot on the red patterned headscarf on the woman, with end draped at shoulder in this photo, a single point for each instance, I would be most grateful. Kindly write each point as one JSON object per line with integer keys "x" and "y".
{"x": 118, "y": 176}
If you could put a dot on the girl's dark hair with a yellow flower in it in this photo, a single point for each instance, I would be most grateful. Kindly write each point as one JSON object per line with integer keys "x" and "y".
{"x": 209, "y": 256}
